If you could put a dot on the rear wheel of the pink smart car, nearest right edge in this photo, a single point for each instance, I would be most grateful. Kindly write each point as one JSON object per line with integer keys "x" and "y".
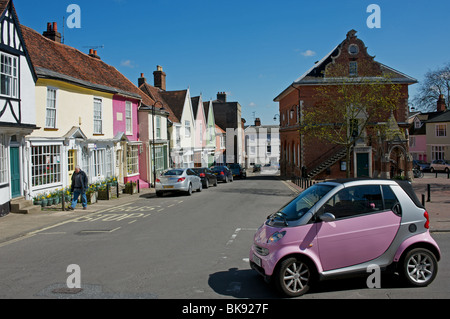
{"x": 420, "y": 267}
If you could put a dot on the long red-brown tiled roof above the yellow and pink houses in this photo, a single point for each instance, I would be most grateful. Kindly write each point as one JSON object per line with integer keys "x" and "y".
{"x": 59, "y": 61}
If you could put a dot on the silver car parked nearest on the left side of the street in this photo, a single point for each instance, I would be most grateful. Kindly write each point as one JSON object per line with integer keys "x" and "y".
{"x": 178, "y": 180}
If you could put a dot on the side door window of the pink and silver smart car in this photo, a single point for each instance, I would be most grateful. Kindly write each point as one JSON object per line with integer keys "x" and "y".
{"x": 354, "y": 201}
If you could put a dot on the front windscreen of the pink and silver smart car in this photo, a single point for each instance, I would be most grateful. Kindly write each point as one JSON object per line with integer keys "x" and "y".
{"x": 295, "y": 209}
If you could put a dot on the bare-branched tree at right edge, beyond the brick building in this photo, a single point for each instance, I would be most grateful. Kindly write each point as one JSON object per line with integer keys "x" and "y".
{"x": 436, "y": 82}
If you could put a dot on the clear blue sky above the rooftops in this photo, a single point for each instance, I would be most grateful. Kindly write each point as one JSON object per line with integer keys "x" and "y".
{"x": 250, "y": 49}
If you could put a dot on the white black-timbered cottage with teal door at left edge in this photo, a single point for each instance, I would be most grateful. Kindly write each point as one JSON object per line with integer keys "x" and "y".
{"x": 17, "y": 108}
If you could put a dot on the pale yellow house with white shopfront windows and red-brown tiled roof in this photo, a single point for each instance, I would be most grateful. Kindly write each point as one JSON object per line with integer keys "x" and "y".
{"x": 75, "y": 94}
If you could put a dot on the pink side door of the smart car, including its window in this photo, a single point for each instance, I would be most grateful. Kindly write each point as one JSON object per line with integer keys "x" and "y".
{"x": 363, "y": 229}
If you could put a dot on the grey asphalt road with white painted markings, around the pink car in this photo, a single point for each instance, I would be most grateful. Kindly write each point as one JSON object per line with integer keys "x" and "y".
{"x": 175, "y": 247}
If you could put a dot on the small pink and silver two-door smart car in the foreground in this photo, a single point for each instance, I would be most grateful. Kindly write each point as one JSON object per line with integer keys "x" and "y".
{"x": 342, "y": 227}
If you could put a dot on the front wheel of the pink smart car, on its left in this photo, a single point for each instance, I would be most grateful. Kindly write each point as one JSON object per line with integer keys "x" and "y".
{"x": 294, "y": 277}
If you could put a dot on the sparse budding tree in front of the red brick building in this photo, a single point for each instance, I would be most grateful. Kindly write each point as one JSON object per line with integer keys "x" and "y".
{"x": 350, "y": 109}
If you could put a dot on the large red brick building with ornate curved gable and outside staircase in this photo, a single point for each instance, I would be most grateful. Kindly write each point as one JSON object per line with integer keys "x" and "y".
{"x": 374, "y": 155}
